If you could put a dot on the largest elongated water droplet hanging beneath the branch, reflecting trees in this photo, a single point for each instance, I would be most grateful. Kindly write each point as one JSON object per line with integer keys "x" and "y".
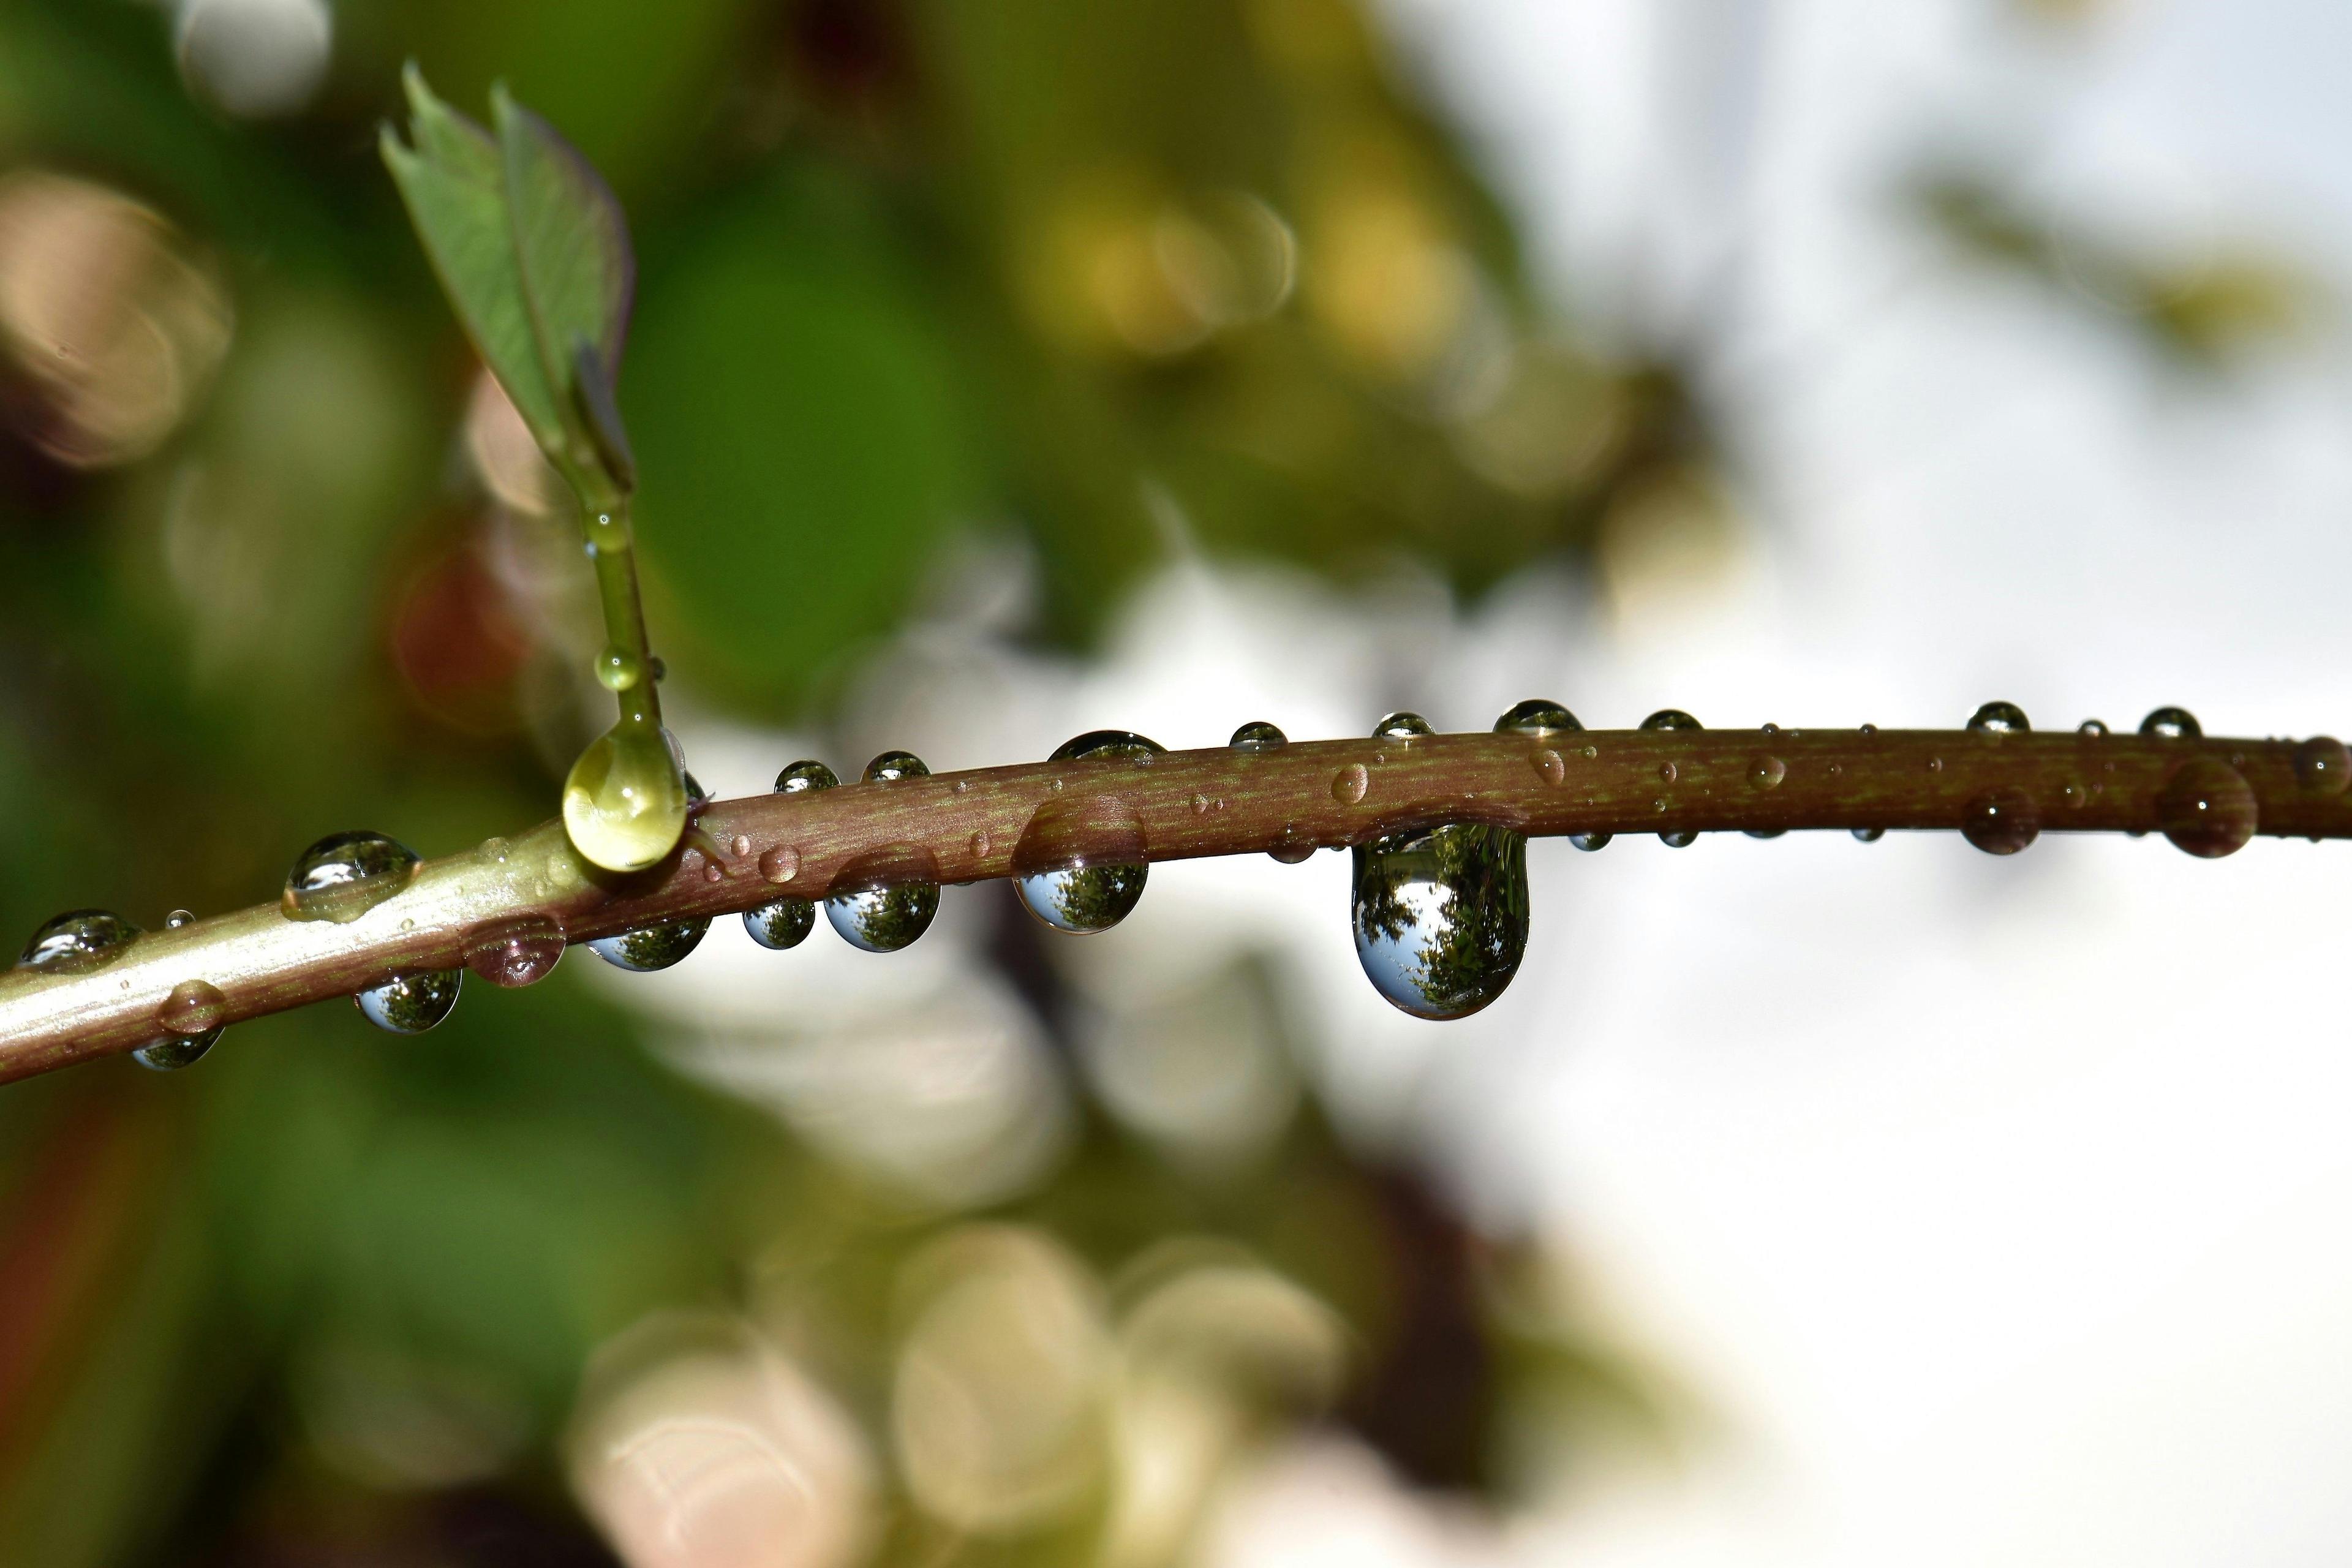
{"x": 1441, "y": 918}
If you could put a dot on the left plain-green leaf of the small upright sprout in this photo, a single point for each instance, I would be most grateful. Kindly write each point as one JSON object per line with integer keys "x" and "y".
{"x": 457, "y": 199}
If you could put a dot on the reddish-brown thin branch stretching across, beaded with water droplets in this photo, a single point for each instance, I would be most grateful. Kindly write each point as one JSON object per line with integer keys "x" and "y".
{"x": 509, "y": 906}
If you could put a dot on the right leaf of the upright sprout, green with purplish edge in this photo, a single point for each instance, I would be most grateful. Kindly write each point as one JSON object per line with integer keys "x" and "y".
{"x": 575, "y": 260}
